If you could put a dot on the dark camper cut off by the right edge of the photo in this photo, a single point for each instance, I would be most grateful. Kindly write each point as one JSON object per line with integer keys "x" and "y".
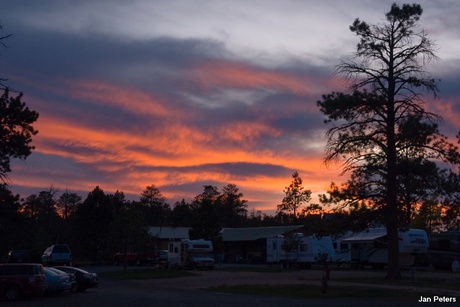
{"x": 444, "y": 250}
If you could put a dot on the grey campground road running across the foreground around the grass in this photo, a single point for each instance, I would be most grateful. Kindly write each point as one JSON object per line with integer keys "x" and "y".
{"x": 187, "y": 291}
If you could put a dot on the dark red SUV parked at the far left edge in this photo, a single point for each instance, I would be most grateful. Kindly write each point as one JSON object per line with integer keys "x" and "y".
{"x": 25, "y": 279}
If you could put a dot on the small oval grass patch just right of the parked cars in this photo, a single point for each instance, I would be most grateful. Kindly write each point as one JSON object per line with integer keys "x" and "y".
{"x": 147, "y": 274}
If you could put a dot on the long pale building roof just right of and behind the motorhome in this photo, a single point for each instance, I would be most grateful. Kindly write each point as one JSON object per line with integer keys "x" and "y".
{"x": 255, "y": 233}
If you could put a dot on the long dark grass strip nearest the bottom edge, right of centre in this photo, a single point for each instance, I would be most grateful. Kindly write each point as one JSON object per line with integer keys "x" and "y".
{"x": 297, "y": 291}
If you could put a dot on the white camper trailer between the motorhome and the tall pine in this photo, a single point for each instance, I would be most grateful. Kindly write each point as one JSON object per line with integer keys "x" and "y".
{"x": 299, "y": 249}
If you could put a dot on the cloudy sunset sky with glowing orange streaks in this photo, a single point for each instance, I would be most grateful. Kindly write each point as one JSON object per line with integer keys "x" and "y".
{"x": 182, "y": 94}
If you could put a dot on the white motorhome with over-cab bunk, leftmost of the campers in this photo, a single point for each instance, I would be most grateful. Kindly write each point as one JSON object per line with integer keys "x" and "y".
{"x": 197, "y": 254}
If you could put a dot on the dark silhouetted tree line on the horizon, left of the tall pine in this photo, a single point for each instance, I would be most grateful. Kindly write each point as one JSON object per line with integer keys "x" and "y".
{"x": 103, "y": 223}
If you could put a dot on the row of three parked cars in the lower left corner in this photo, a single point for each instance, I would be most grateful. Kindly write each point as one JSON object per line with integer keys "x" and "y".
{"x": 32, "y": 279}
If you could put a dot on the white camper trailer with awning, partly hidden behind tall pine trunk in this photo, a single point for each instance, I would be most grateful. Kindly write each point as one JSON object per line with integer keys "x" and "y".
{"x": 370, "y": 247}
